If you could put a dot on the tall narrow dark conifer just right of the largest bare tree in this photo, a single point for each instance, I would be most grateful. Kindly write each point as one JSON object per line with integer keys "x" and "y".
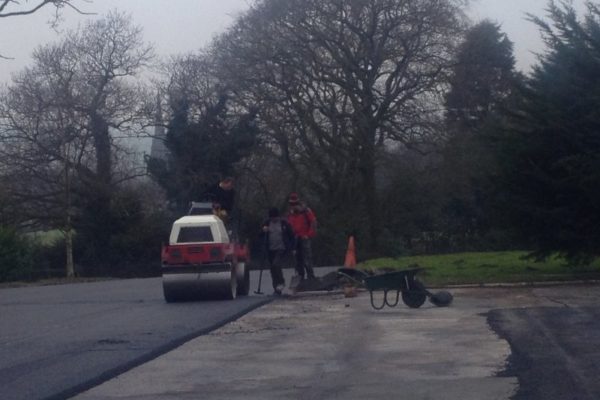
{"x": 481, "y": 84}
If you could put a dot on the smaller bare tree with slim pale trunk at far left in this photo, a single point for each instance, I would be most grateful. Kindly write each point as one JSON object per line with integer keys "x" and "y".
{"x": 43, "y": 163}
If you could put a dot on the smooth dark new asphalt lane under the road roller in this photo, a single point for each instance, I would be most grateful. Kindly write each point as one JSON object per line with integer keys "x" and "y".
{"x": 56, "y": 341}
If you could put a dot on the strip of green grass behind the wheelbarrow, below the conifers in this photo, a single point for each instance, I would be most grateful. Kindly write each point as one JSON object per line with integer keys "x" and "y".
{"x": 491, "y": 267}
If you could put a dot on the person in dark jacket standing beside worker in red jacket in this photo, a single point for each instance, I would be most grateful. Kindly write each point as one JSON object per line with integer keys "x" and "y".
{"x": 278, "y": 239}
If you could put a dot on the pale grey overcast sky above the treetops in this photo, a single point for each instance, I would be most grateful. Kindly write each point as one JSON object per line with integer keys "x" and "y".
{"x": 179, "y": 26}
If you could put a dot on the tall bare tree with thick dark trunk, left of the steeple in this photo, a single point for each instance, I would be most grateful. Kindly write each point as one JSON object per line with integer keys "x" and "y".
{"x": 110, "y": 54}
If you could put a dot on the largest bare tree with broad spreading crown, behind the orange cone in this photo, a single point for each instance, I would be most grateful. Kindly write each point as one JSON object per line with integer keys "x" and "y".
{"x": 336, "y": 80}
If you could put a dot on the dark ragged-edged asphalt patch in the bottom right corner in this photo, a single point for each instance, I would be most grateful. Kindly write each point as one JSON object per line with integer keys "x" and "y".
{"x": 555, "y": 351}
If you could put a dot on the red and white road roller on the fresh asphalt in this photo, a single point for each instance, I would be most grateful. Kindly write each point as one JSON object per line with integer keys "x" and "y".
{"x": 201, "y": 262}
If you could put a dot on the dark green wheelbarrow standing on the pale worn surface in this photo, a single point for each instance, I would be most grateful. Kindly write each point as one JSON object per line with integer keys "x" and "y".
{"x": 402, "y": 283}
